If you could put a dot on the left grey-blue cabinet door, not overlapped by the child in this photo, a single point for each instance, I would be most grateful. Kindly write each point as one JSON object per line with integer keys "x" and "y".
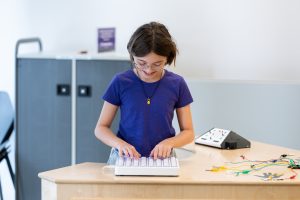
{"x": 43, "y": 122}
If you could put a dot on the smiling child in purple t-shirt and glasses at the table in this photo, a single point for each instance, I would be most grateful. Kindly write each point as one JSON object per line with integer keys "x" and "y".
{"x": 147, "y": 96}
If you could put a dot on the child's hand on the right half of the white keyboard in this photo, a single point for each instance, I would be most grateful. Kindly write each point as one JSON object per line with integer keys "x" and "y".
{"x": 162, "y": 150}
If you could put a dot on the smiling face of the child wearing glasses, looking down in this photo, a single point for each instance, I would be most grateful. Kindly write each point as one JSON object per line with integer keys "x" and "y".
{"x": 150, "y": 67}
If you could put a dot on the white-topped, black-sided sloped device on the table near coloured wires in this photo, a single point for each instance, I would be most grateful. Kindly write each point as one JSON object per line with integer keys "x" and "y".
{"x": 223, "y": 139}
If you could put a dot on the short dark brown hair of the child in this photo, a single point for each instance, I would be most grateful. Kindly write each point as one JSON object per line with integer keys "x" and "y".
{"x": 152, "y": 37}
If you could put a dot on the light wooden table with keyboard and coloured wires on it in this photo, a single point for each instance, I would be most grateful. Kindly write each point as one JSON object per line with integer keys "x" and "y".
{"x": 97, "y": 181}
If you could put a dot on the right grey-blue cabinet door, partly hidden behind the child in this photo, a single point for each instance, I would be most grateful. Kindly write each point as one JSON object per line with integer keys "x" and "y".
{"x": 95, "y": 75}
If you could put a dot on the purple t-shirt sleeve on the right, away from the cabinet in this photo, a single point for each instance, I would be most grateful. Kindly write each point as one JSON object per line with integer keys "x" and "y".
{"x": 185, "y": 97}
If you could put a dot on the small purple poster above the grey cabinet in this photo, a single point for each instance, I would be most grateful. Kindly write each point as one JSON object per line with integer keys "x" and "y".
{"x": 106, "y": 39}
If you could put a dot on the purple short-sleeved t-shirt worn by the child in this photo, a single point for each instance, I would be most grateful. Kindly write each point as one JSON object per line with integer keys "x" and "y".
{"x": 143, "y": 125}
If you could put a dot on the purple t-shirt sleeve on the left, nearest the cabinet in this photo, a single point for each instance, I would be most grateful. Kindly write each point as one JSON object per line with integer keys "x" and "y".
{"x": 112, "y": 93}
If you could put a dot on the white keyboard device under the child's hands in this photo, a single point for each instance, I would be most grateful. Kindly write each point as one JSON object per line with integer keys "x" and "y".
{"x": 147, "y": 166}
